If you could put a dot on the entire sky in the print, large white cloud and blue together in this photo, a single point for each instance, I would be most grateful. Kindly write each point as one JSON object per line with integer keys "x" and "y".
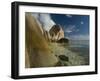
{"x": 76, "y": 27}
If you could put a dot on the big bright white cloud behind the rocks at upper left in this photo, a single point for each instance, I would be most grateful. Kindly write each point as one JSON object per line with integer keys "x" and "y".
{"x": 45, "y": 20}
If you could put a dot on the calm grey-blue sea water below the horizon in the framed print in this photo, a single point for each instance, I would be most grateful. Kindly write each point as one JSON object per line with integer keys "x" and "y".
{"x": 80, "y": 47}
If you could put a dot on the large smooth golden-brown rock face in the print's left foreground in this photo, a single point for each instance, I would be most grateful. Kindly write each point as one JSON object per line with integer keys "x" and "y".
{"x": 37, "y": 52}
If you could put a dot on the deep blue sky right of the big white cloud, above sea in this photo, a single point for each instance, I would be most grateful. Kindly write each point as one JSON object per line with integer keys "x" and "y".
{"x": 74, "y": 26}
